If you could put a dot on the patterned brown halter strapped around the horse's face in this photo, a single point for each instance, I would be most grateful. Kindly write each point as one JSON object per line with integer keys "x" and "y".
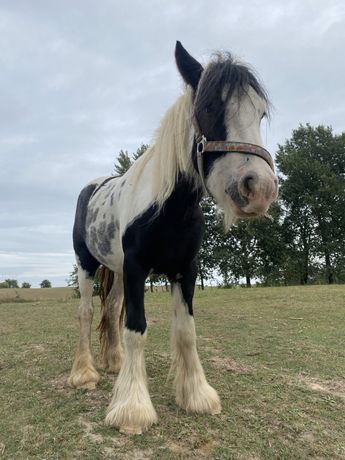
{"x": 203, "y": 145}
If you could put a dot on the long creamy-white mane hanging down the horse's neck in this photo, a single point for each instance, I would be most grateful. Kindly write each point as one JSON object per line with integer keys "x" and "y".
{"x": 171, "y": 151}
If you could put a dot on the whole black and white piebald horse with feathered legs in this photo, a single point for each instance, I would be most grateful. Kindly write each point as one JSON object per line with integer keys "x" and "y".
{"x": 149, "y": 221}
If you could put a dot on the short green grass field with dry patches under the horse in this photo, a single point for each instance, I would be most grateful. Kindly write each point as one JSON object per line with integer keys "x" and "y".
{"x": 275, "y": 355}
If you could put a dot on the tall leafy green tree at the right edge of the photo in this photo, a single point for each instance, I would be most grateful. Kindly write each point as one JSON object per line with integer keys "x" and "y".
{"x": 312, "y": 164}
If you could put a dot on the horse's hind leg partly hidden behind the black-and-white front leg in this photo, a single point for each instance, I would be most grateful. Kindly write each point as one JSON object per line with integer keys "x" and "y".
{"x": 110, "y": 327}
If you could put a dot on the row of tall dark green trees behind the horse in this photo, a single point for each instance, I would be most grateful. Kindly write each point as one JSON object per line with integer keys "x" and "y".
{"x": 304, "y": 241}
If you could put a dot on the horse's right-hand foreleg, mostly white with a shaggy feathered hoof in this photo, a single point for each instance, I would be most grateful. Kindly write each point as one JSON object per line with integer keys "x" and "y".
{"x": 193, "y": 393}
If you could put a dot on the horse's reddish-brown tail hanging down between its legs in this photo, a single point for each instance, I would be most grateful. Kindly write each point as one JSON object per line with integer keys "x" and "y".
{"x": 106, "y": 280}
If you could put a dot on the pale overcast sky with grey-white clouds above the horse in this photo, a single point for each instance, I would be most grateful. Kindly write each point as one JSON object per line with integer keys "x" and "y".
{"x": 82, "y": 79}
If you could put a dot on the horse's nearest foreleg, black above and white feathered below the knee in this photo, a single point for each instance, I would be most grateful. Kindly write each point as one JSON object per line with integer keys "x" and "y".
{"x": 131, "y": 409}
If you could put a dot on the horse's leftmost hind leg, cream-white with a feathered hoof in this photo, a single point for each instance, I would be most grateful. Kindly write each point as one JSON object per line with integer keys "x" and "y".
{"x": 83, "y": 373}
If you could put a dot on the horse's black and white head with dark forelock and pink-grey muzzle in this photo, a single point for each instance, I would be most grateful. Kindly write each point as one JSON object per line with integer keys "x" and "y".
{"x": 229, "y": 104}
